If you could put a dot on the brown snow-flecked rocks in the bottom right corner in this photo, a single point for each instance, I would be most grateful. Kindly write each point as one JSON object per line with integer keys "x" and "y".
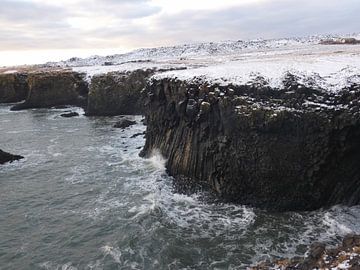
{"x": 345, "y": 256}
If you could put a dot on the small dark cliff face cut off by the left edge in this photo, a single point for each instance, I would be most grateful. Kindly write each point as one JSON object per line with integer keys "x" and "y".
{"x": 13, "y": 87}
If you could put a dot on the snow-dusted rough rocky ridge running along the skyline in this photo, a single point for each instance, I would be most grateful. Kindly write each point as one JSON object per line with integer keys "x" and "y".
{"x": 192, "y": 50}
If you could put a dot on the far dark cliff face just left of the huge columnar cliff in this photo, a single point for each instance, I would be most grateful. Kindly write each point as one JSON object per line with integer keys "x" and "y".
{"x": 117, "y": 93}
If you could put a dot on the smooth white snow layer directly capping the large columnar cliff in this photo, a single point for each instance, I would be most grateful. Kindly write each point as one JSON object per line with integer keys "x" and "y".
{"x": 327, "y": 68}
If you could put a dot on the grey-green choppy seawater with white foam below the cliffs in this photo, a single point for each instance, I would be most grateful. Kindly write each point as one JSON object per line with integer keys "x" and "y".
{"x": 83, "y": 199}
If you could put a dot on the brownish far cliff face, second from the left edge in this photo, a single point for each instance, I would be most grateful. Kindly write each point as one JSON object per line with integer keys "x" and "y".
{"x": 54, "y": 88}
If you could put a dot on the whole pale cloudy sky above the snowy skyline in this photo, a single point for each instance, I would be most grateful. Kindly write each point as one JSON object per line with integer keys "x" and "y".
{"x": 33, "y": 31}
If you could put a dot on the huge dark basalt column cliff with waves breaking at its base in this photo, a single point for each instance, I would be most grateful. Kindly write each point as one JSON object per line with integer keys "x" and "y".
{"x": 283, "y": 149}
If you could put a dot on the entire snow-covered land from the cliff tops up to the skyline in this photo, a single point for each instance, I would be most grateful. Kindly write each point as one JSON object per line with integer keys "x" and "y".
{"x": 330, "y": 67}
